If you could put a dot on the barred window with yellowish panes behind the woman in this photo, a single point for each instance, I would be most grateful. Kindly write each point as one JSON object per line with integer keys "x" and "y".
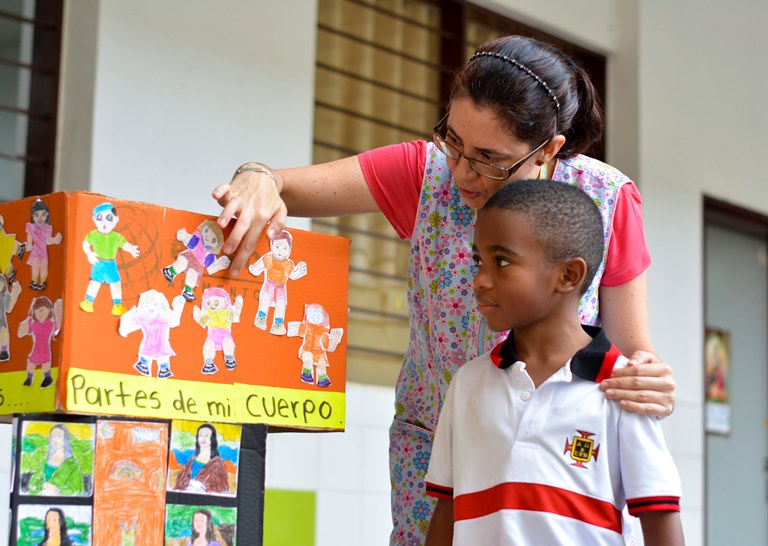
{"x": 383, "y": 70}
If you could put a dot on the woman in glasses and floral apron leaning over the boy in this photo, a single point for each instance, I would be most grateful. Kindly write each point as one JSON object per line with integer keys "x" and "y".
{"x": 519, "y": 109}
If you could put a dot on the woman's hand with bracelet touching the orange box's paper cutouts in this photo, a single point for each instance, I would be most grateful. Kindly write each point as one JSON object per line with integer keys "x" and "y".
{"x": 253, "y": 198}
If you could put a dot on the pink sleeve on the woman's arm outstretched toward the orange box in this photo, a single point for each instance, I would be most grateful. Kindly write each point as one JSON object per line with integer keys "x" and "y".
{"x": 394, "y": 175}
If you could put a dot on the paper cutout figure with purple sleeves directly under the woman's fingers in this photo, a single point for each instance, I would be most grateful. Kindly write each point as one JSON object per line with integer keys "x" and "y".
{"x": 203, "y": 249}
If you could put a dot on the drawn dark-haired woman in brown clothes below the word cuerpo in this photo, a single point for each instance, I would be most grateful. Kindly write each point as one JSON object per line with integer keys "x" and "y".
{"x": 205, "y": 472}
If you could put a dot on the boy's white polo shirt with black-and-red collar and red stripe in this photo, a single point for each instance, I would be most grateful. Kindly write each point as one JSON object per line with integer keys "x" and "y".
{"x": 553, "y": 465}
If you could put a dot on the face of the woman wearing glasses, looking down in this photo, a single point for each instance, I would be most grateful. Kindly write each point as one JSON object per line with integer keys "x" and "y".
{"x": 478, "y": 133}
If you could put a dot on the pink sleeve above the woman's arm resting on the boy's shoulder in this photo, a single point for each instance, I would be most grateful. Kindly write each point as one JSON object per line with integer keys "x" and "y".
{"x": 628, "y": 254}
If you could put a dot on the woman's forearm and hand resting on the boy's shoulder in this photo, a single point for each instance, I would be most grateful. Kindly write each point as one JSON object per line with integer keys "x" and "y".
{"x": 648, "y": 388}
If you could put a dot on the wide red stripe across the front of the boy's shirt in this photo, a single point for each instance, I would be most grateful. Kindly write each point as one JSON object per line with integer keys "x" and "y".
{"x": 537, "y": 498}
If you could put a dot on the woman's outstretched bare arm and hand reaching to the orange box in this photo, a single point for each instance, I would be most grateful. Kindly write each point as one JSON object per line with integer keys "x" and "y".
{"x": 256, "y": 199}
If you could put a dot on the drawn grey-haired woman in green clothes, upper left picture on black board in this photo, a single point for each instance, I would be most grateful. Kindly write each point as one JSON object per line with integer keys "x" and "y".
{"x": 60, "y": 475}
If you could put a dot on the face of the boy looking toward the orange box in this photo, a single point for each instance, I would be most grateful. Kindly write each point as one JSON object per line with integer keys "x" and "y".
{"x": 515, "y": 283}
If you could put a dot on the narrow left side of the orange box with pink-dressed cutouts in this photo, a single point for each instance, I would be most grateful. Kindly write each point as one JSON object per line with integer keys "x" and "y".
{"x": 32, "y": 263}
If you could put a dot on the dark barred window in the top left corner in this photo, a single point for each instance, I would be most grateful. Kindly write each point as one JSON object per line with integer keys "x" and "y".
{"x": 30, "y": 42}
